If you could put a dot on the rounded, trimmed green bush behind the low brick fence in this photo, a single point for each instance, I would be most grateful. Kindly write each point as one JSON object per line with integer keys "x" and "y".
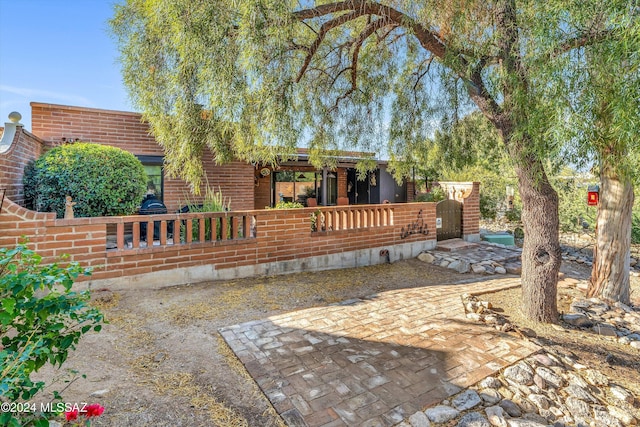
{"x": 101, "y": 180}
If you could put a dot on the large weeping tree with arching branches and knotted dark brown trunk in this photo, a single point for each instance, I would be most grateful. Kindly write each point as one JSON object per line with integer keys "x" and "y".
{"x": 254, "y": 78}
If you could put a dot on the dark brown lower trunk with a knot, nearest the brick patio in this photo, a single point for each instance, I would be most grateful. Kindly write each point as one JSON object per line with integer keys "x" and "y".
{"x": 541, "y": 255}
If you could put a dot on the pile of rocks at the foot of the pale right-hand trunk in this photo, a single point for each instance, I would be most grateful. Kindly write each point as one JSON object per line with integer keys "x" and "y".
{"x": 619, "y": 321}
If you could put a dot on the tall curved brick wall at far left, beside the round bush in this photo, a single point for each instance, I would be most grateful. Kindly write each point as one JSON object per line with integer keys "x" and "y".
{"x": 13, "y": 158}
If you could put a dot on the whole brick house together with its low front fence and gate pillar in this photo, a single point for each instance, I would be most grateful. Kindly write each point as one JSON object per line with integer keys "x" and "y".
{"x": 355, "y": 230}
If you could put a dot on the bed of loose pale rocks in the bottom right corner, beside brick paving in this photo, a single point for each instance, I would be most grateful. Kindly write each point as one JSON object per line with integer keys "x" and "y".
{"x": 544, "y": 389}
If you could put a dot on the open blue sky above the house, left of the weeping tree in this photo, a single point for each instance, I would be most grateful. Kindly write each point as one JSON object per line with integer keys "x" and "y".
{"x": 58, "y": 52}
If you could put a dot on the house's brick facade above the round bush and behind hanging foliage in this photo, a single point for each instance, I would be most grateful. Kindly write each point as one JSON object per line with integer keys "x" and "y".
{"x": 127, "y": 131}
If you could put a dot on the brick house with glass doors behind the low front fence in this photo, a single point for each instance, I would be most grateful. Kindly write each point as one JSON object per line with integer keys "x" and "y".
{"x": 249, "y": 187}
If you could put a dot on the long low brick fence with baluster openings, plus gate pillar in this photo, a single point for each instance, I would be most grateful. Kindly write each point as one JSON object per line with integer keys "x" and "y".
{"x": 247, "y": 243}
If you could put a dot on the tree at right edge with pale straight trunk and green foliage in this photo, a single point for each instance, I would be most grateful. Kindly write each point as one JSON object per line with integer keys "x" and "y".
{"x": 601, "y": 121}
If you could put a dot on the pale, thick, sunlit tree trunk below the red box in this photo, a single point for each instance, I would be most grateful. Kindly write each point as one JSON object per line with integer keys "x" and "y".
{"x": 611, "y": 254}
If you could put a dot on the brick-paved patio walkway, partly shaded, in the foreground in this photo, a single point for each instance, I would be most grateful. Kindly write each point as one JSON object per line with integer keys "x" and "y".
{"x": 373, "y": 361}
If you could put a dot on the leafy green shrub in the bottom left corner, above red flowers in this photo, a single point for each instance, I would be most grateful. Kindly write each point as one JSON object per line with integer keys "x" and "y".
{"x": 41, "y": 320}
